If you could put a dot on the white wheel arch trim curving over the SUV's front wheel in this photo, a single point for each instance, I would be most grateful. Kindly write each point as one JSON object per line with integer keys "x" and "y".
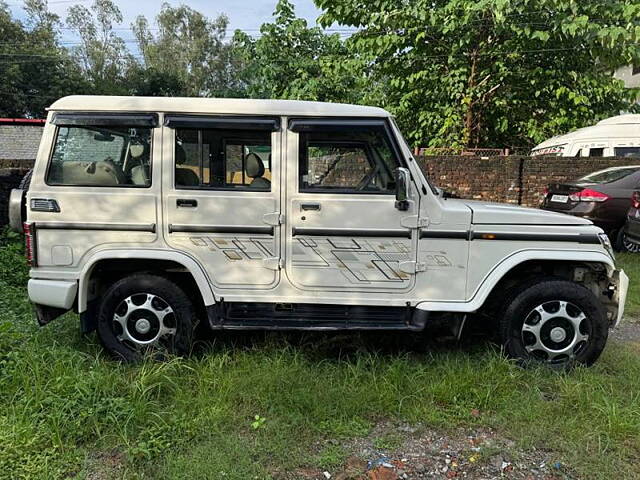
{"x": 511, "y": 264}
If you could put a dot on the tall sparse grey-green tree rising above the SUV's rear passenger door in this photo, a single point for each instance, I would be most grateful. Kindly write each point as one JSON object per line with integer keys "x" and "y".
{"x": 189, "y": 49}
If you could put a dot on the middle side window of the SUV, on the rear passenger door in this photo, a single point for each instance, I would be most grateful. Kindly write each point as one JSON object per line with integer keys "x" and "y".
{"x": 223, "y": 159}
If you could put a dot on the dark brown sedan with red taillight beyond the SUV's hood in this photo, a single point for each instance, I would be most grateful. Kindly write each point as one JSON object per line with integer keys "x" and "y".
{"x": 602, "y": 197}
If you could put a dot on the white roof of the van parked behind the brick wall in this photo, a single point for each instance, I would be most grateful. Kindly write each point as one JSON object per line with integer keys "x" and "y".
{"x": 621, "y": 126}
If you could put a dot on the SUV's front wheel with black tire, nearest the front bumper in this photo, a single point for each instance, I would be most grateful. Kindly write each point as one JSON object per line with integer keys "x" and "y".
{"x": 548, "y": 295}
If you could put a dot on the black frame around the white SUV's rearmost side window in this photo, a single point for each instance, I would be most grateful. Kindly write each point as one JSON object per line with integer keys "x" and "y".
{"x": 107, "y": 123}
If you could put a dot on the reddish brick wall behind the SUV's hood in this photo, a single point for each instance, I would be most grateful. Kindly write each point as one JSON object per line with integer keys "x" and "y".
{"x": 517, "y": 180}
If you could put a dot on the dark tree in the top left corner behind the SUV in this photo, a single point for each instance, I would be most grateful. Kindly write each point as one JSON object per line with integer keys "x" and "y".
{"x": 34, "y": 69}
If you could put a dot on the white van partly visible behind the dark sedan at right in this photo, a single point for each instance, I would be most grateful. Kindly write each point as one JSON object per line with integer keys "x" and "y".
{"x": 614, "y": 137}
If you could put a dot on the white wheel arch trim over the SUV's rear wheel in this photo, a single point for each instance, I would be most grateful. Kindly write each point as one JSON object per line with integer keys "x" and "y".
{"x": 159, "y": 258}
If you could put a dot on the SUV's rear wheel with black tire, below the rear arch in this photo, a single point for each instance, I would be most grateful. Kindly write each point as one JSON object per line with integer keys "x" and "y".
{"x": 141, "y": 288}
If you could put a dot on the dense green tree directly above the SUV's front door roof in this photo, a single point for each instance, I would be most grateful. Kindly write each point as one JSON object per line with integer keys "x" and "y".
{"x": 292, "y": 60}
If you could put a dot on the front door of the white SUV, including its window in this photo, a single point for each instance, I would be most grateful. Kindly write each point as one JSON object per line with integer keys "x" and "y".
{"x": 344, "y": 232}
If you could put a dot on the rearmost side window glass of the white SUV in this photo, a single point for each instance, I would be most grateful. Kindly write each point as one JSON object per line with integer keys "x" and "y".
{"x": 101, "y": 156}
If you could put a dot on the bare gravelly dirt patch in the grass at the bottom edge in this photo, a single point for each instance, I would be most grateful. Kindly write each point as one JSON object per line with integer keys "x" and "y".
{"x": 401, "y": 451}
